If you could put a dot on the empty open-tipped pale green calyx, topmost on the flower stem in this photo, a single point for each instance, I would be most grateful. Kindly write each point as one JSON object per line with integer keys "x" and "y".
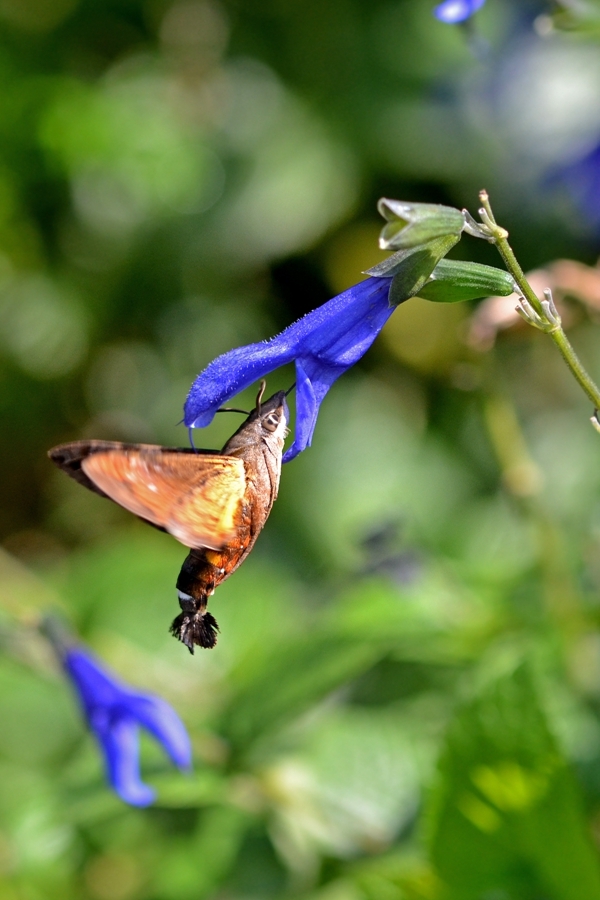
{"x": 411, "y": 224}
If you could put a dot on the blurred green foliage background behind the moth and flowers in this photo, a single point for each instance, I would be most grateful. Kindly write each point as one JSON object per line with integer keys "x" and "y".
{"x": 404, "y": 703}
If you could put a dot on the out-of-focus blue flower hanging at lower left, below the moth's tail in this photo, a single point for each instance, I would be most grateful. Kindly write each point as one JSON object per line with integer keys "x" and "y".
{"x": 114, "y": 713}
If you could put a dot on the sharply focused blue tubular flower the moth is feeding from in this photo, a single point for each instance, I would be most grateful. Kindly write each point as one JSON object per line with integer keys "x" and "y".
{"x": 323, "y": 344}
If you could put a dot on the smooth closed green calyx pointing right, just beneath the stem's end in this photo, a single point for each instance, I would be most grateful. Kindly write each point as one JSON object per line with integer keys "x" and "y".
{"x": 453, "y": 281}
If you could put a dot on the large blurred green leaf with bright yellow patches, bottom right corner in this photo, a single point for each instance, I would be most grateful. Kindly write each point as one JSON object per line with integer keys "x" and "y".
{"x": 507, "y": 814}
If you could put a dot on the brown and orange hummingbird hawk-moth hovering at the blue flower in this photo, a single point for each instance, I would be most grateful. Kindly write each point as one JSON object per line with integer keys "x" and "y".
{"x": 215, "y": 504}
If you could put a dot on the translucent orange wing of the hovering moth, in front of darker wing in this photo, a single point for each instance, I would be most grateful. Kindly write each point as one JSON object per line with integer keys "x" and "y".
{"x": 195, "y": 497}
